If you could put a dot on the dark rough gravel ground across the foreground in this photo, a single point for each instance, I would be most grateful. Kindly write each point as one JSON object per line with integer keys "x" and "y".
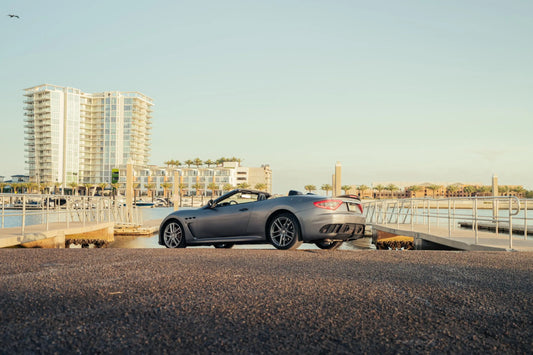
{"x": 264, "y": 301}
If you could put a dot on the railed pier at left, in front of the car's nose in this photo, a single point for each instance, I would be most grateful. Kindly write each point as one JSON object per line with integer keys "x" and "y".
{"x": 40, "y": 221}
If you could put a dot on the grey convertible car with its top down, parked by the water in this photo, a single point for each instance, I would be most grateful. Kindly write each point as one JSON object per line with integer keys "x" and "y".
{"x": 248, "y": 216}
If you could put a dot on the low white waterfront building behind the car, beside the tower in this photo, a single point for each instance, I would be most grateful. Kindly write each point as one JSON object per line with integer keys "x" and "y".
{"x": 195, "y": 181}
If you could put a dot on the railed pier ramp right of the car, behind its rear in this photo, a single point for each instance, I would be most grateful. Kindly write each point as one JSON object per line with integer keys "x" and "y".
{"x": 436, "y": 223}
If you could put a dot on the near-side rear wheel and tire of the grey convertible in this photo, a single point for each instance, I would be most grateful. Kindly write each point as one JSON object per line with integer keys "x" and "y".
{"x": 284, "y": 232}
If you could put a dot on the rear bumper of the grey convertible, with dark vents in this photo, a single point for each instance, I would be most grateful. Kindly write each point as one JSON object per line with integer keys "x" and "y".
{"x": 334, "y": 227}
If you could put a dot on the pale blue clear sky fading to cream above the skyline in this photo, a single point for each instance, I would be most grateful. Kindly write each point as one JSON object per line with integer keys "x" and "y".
{"x": 415, "y": 91}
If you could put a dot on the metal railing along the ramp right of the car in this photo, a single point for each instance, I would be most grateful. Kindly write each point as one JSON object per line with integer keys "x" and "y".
{"x": 498, "y": 213}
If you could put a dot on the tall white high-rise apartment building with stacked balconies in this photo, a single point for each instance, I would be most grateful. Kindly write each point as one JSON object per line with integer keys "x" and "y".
{"x": 77, "y": 137}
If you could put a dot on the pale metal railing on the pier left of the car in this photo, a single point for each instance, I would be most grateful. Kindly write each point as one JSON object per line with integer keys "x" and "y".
{"x": 22, "y": 210}
